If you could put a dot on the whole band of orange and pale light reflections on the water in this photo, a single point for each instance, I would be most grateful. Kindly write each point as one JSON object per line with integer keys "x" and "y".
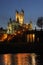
{"x": 19, "y": 59}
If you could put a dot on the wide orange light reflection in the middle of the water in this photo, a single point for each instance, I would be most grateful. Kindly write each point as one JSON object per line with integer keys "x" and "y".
{"x": 22, "y": 59}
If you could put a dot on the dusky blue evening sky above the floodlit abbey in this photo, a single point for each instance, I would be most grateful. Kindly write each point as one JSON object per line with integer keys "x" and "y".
{"x": 32, "y": 8}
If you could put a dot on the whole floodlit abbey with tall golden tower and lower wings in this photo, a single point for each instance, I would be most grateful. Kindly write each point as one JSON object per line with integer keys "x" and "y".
{"x": 18, "y": 23}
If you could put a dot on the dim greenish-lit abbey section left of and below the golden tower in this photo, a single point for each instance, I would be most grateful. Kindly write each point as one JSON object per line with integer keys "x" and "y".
{"x": 12, "y": 26}
